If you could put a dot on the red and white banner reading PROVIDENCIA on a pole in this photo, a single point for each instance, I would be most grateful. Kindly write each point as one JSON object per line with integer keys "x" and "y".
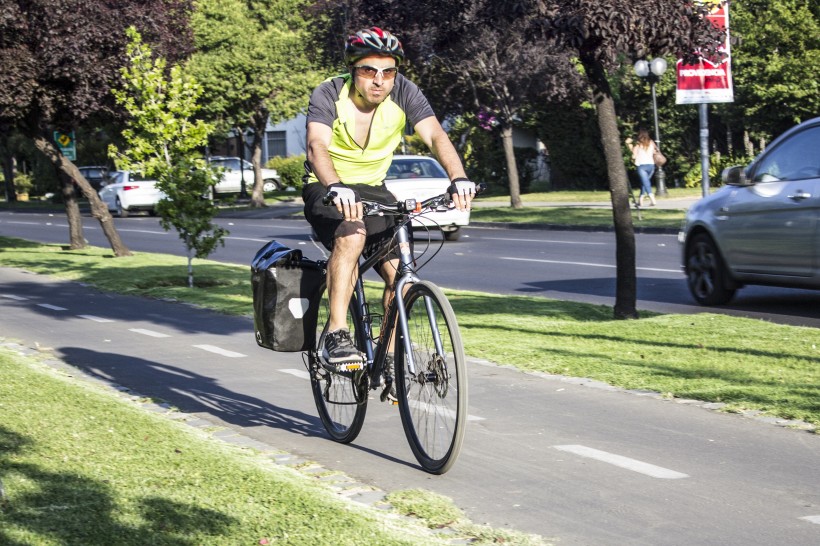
{"x": 708, "y": 80}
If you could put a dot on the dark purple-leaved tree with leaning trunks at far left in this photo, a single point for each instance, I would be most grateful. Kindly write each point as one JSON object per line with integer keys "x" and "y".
{"x": 58, "y": 61}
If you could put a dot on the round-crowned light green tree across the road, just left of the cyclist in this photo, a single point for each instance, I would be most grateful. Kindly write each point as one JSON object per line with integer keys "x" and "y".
{"x": 254, "y": 61}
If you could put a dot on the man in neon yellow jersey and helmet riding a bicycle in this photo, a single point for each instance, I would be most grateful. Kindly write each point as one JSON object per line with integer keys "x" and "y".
{"x": 354, "y": 123}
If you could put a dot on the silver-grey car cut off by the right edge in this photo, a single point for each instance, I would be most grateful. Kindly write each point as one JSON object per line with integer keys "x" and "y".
{"x": 763, "y": 226}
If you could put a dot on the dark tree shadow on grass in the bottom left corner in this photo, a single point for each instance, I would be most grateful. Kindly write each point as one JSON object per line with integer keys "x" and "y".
{"x": 67, "y": 508}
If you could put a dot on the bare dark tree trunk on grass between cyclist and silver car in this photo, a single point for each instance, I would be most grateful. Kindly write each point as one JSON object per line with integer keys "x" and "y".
{"x": 626, "y": 283}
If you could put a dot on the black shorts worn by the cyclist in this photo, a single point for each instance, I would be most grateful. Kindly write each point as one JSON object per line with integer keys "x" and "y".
{"x": 326, "y": 219}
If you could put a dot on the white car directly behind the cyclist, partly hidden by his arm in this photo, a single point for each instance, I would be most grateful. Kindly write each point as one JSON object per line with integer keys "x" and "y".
{"x": 421, "y": 177}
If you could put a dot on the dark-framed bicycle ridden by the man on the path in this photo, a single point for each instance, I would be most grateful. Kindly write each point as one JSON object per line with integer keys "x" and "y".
{"x": 429, "y": 361}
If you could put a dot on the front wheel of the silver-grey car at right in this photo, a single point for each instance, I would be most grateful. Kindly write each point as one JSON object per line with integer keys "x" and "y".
{"x": 706, "y": 272}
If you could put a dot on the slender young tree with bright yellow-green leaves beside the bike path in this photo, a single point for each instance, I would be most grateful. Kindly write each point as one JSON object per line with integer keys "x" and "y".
{"x": 164, "y": 142}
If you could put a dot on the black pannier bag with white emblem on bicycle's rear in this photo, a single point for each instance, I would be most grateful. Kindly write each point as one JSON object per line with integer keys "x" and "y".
{"x": 286, "y": 293}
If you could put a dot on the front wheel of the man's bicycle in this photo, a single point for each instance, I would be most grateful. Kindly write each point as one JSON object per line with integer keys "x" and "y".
{"x": 433, "y": 396}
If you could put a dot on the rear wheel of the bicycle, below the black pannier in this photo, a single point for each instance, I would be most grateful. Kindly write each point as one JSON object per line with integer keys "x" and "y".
{"x": 341, "y": 398}
